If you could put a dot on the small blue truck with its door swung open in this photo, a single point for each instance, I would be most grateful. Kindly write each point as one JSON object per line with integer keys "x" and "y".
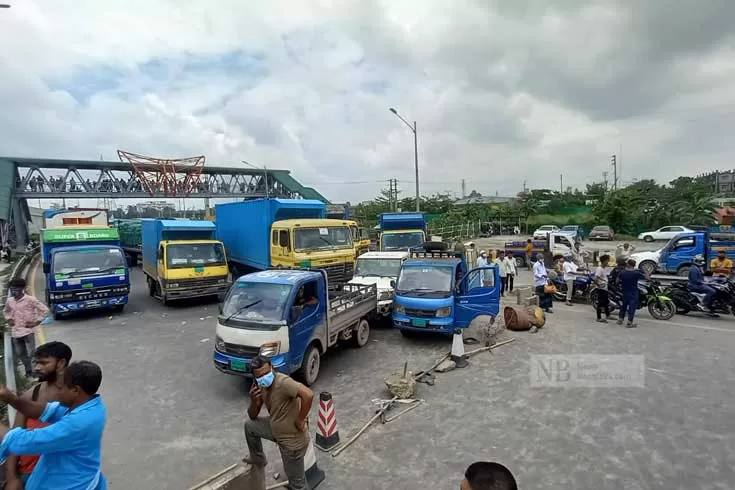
{"x": 436, "y": 292}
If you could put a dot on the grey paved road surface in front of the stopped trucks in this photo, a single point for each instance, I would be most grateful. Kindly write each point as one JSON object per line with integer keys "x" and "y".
{"x": 173, "y": 419}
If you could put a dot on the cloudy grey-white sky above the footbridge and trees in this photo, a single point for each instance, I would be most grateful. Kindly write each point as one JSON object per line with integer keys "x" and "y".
{"x": 503, "y": 91}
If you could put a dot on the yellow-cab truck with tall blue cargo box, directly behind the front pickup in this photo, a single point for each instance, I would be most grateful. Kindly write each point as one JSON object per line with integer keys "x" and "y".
{"x": 288, "y": 233}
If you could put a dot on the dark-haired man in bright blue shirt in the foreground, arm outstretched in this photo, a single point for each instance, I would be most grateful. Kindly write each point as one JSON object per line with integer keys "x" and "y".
{"x": 71, "y": 447}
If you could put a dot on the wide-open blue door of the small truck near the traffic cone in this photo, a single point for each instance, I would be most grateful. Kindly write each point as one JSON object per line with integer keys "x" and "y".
{"x": 477, "y": 294}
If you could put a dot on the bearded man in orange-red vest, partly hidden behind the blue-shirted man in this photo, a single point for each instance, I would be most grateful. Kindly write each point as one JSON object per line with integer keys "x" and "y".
{"x": 50, "y": 359}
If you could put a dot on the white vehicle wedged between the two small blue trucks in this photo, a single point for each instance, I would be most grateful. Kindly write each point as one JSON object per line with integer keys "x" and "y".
{"x": 380, "y": 269}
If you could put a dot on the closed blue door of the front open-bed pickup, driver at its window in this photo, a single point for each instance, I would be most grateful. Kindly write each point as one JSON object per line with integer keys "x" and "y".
{"x": 307, "y": 314}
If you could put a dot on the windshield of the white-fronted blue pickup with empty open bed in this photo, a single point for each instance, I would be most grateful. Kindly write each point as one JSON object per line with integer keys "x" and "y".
{"x": 254, "y": 302}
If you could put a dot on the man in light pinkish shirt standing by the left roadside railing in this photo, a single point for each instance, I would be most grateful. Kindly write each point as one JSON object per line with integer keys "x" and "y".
{"x": 23, "y": 313}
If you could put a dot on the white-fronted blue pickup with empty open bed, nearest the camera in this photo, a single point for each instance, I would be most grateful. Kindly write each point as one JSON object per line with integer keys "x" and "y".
{"x": 290, "y": 317}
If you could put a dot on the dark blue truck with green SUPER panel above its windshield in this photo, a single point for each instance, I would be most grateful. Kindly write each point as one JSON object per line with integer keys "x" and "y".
{"x": 85, "y": 269}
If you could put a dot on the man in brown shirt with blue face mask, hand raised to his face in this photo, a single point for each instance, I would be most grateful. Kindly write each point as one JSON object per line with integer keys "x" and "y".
{"x": 288, "y": 404}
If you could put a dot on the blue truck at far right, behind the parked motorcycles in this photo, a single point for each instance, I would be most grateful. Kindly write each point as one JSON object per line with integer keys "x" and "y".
{"x": 676, "y": 257}
